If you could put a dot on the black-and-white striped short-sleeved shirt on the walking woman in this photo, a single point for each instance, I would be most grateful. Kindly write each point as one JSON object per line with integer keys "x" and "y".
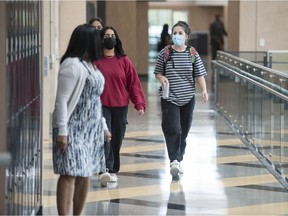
{"x": 180, "y": 77}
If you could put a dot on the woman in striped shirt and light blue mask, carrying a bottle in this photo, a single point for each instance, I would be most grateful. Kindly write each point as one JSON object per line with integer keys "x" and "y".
{"x": 177, "y": 108}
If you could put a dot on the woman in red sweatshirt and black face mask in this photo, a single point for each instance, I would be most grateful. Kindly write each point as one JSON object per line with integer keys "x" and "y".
{"x": 122, "y": 84}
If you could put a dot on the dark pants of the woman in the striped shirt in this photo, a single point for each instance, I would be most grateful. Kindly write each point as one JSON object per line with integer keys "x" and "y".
{"x": 176, "y": 123}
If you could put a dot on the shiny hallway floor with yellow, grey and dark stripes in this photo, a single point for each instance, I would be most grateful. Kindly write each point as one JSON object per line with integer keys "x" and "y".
{"x": 221, "y": 175}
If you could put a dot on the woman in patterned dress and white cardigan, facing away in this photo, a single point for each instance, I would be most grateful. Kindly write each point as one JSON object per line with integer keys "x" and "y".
{"x": 78, "y": 123}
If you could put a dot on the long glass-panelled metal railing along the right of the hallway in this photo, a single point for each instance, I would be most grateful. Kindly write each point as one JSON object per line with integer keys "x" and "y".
{"x": 254, "y": 101}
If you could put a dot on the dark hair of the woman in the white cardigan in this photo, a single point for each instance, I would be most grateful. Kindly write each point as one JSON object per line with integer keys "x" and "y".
{"x": 85, "y": 43}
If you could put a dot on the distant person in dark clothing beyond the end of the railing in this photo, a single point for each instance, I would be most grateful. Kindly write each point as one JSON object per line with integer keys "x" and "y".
{"x": 217, "y": 32}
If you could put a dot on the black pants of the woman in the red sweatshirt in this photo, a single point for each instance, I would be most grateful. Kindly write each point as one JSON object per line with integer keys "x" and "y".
{"x": 116, "y": 119}
